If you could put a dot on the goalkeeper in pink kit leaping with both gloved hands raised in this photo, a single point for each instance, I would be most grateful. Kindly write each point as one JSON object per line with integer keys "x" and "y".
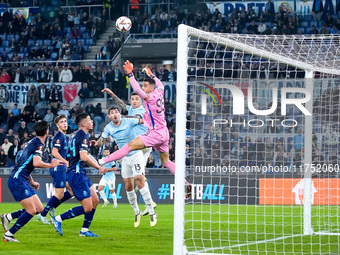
{"x": 154, "y": 119}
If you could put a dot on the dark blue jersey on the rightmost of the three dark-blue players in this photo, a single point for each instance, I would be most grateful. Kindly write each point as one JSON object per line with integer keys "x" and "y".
{"x": 79, "y": 142}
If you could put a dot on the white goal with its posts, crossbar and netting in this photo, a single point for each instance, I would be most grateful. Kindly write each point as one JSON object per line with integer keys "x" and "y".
{"x": 257, "y": 135}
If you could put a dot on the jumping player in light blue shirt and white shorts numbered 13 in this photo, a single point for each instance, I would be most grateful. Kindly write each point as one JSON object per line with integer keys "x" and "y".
{"x": 133, "y": 167}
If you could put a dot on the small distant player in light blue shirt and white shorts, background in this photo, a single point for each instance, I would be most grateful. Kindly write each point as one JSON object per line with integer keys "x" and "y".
{"x": 108, "y": 179}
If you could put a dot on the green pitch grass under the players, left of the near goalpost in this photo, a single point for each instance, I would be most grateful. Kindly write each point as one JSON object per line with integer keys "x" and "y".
{"x": 117, "y": 234}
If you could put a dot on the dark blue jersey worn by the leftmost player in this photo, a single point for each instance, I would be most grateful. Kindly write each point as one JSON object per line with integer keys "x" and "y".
{"x": 25, "y": 167}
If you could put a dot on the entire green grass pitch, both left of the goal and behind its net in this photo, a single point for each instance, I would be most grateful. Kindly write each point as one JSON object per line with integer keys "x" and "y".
{"x": 238, "y": 229}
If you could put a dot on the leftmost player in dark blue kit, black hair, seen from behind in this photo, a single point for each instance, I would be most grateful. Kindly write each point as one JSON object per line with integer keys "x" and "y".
{"x": 22, "y": 185}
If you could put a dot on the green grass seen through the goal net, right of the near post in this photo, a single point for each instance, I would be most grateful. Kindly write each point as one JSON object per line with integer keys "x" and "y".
{"x": 241, "y": 229}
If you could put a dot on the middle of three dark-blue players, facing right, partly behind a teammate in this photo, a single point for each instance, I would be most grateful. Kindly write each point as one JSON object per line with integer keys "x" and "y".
{"x": 59, "y": 151}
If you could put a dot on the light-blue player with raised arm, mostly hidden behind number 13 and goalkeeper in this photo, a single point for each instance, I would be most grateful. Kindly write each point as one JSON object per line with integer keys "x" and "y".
{"x": 135, "y": 110}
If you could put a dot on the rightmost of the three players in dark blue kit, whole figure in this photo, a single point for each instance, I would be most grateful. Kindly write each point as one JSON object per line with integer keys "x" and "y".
{"x": 76, "y": 176}
